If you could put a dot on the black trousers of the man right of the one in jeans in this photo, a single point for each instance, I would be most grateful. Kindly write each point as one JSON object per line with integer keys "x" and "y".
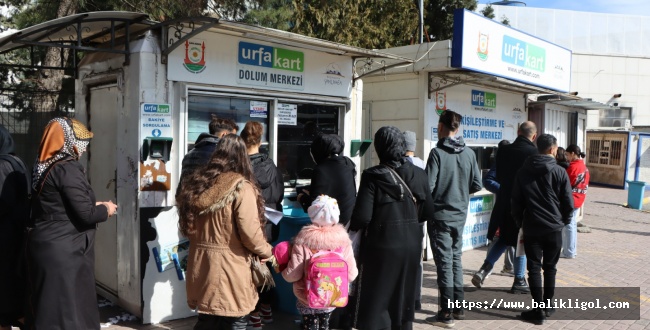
{"x": 542, "y": 252}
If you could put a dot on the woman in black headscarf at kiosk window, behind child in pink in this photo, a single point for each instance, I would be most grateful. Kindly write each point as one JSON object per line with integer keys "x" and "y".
{"x": 333, "y": 176}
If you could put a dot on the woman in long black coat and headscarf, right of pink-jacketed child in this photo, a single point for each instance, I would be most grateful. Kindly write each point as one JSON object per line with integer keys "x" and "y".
{"x": 391, "y": 246}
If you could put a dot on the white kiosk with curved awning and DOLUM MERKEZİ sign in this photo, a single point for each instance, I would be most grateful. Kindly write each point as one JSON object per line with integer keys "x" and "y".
{"x": 147, "y": 90}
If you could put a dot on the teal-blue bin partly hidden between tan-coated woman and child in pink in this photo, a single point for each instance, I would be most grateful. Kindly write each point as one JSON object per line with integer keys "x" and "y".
{"x": 292, "y": 222}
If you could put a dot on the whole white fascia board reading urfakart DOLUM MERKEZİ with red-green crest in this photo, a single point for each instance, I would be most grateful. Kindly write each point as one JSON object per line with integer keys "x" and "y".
{"x": 218, "y": 59}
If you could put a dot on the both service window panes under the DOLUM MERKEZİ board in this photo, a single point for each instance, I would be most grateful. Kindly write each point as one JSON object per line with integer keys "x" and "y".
{"x": 298, "y": 124}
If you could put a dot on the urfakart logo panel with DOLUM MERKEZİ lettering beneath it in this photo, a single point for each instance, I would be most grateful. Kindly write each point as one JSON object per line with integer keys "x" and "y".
{"x": 262, "y": 65}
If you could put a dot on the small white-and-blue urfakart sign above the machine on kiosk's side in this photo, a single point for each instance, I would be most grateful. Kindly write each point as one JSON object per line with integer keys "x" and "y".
{"x": 155, "y": 120}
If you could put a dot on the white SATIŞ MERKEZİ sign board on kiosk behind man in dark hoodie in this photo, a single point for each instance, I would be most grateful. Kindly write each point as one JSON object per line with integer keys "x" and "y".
{"x": 489, "y": 116}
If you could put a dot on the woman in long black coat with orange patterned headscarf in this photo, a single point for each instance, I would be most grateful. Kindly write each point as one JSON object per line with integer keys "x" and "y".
{"x": 60, "y": 241}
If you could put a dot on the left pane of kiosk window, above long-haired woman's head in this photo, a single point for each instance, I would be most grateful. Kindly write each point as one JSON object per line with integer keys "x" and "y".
{"x": 201, "y": 108}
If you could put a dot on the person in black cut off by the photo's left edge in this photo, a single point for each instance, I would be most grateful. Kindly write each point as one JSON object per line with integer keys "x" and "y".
{"x": 14, "y": 187}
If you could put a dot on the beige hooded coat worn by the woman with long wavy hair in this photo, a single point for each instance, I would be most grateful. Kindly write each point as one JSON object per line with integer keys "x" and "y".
{"x": 228, "y": 233}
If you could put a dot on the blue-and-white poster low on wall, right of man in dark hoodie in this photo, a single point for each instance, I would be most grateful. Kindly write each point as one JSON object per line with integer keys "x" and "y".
{"x": 478, "y": 221}
